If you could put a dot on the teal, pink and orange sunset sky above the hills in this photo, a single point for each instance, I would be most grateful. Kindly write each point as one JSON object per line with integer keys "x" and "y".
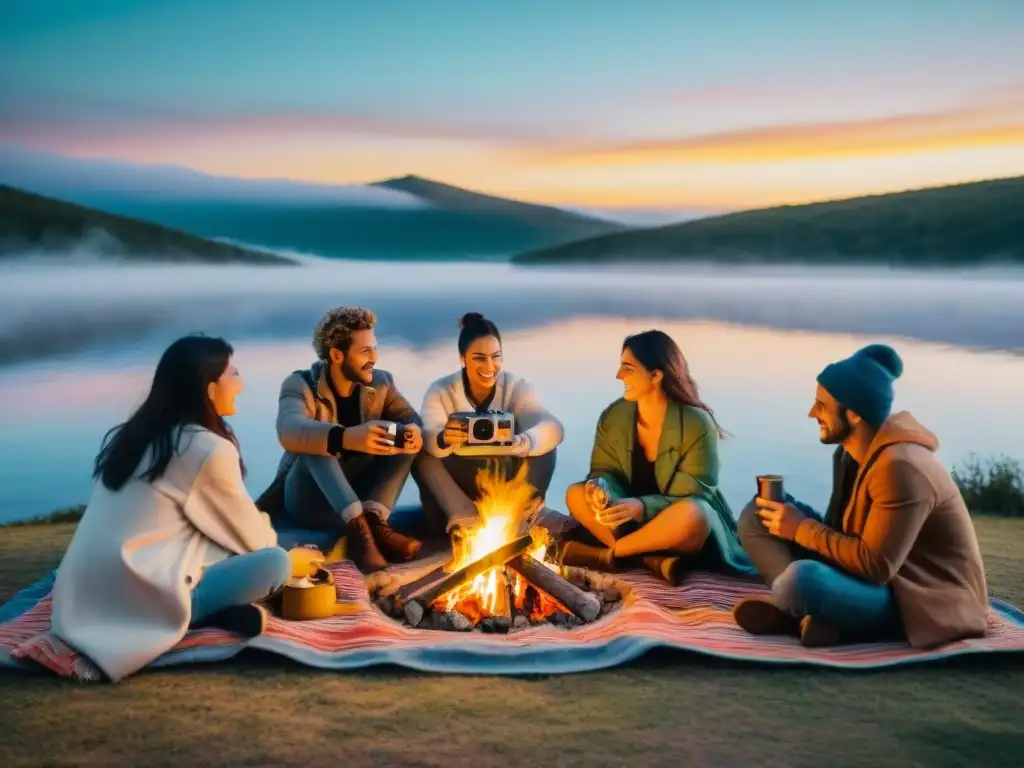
{"x": 649, "y": 105}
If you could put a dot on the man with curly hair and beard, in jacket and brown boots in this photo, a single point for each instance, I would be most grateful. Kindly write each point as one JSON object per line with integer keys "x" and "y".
{"x": 343, "y": 470}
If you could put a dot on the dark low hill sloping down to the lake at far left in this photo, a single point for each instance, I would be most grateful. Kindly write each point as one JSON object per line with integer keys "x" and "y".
{"x": 35, "y": 224}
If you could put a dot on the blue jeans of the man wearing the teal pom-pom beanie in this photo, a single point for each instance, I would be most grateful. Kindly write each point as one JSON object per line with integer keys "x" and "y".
{"x": 859, "y": 610}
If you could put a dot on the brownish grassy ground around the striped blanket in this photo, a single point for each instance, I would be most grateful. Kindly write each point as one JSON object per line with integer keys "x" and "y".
{"x": 670, "y": 709}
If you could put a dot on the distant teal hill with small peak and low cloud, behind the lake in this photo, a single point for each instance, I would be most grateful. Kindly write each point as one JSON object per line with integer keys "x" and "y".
{"x": 401, "y": 219}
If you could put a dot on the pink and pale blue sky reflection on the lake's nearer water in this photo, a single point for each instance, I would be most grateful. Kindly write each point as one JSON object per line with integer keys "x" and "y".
{"x": 760, "y": 383}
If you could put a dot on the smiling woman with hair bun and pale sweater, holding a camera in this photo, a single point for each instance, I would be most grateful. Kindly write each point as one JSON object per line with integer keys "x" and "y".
{"x": 483, "y": 386}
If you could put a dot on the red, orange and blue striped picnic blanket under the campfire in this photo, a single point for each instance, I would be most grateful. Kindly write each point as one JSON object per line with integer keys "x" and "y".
{"x": 694, "y": 617}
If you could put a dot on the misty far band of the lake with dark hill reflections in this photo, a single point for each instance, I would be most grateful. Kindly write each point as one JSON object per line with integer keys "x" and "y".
{"x": 44, "y": 313}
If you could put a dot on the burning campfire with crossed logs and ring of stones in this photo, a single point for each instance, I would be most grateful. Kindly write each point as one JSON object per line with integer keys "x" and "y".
{"x": 500, "y": 578}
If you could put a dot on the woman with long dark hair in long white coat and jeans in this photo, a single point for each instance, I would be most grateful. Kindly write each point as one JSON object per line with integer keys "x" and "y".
{"x": 170, "y": 538}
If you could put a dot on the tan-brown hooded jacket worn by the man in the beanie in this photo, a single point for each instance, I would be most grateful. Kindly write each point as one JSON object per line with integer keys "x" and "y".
{"x": 907, "y": 525}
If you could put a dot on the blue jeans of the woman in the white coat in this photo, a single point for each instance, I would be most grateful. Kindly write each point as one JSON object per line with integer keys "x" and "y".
{"x": 240, "y": 580}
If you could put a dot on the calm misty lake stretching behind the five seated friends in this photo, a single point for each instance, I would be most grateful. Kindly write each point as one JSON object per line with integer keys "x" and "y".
{"x": 755, "y": 342}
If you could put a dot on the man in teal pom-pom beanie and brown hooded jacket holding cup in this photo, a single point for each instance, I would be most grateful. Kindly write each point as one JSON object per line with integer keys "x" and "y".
{"x": 895, "y": 556}
